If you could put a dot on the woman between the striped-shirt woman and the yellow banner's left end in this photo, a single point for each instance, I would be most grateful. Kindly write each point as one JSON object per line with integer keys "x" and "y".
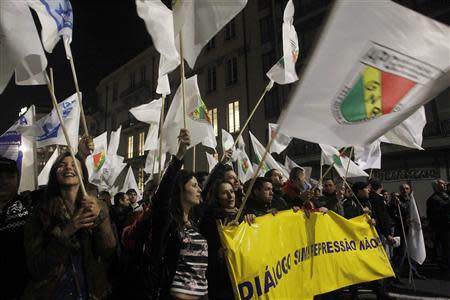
{"x": 222, "y": 208}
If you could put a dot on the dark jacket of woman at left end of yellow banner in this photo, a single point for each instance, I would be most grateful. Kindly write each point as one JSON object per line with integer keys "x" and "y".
{"x": 219, "y": 284}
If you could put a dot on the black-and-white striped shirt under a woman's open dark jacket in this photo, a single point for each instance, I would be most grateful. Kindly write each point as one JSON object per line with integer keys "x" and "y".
{"x": 190, "y": 275}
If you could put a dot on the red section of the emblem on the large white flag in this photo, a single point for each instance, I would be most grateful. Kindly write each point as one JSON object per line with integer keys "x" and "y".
{"x": 393, "y": 89}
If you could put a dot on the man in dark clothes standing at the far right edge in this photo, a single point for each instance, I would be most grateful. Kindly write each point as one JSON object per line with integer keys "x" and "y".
{"x": 438, "y": 213}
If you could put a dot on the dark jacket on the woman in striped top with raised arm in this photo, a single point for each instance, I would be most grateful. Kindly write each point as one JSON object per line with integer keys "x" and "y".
{"x": 165, "y": 235}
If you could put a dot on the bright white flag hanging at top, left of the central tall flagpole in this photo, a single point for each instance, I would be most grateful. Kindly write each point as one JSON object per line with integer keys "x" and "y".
{"x": 159, "y": 23}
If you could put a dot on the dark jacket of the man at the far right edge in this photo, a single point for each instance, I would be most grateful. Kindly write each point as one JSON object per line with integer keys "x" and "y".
{"x": 438, "y": 211}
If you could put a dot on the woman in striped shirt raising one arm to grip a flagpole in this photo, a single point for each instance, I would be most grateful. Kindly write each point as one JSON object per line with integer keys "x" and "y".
{"x": 179, "y": 254}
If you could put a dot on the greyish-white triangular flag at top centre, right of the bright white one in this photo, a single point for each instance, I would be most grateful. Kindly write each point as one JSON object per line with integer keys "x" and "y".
{"x": 199, "y": 22}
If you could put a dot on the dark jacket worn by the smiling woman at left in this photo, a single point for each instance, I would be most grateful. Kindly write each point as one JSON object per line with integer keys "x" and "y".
{"x": 51, "y": 255}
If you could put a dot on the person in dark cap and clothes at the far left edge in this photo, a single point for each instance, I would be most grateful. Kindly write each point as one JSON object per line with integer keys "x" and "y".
{"x": 14, "y": 211}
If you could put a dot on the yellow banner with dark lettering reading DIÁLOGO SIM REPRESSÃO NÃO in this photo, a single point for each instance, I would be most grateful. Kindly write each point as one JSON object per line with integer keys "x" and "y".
{"x": 290, "y": 256}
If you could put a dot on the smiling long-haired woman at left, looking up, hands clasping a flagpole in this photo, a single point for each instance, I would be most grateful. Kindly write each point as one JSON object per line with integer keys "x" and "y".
{"x": 68, "y": 238}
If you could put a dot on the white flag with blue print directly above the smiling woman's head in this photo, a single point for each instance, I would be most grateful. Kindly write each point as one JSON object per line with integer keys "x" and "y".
{"x": 50, "y": 129}
